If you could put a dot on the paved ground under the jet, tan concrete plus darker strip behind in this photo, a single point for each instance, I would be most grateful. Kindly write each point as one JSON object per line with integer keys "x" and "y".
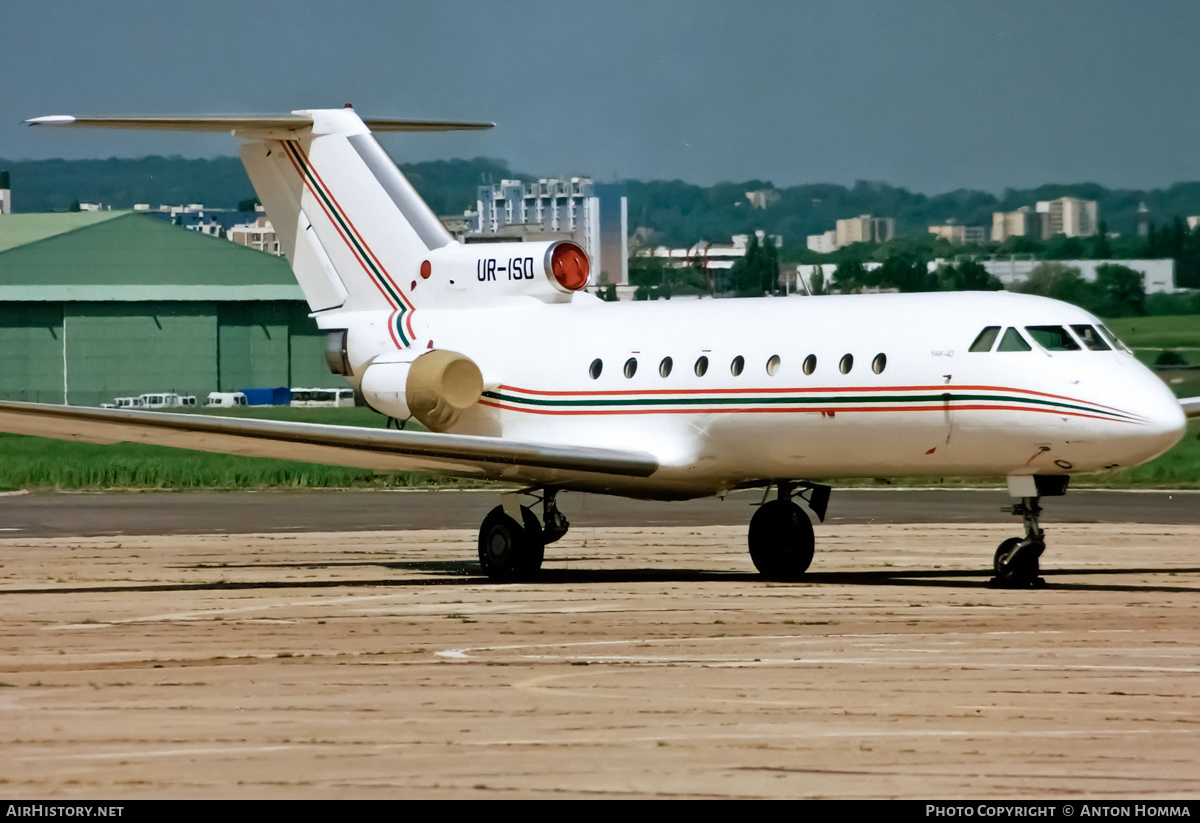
{"x": 649, "y": 662}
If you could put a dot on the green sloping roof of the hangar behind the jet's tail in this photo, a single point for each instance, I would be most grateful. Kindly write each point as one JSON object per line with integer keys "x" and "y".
{"x": 128, "y": 256}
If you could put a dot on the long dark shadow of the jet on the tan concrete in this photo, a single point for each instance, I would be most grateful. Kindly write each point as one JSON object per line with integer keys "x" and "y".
{"x": 463, "y": 573}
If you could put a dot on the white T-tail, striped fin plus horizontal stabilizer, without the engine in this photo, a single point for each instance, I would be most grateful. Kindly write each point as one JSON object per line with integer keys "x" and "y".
{"x": 356, "y": 232}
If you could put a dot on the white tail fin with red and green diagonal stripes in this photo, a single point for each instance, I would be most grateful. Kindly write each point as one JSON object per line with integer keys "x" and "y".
{"x": 352, "y": 226}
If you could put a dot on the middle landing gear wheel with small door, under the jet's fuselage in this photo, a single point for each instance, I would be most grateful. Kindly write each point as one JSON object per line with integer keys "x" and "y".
{"x": 782, "y": 540}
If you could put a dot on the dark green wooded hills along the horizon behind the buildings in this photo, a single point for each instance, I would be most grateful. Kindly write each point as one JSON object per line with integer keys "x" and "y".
{"x": 677, "y": 213}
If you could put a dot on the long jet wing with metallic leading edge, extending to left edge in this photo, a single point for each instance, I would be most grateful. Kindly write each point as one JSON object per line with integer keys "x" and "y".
{"x": 380, "y": 449}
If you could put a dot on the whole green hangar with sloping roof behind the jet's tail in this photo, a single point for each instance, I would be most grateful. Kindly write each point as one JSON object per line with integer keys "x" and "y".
{"x": 97, "y": 305}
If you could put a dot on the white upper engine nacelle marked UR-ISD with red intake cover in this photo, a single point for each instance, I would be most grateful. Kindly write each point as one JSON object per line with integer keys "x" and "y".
{"x": 557, "y": 269}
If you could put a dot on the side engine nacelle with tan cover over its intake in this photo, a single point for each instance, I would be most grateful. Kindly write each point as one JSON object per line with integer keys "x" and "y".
{"x": 436, "y": 387}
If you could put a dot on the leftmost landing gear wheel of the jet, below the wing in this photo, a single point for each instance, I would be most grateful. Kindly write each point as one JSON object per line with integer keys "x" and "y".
{"x": 512, "y": 550}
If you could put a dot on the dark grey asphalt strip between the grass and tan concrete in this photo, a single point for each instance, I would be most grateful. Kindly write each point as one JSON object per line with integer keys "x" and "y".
{"x": 217, "y": 513}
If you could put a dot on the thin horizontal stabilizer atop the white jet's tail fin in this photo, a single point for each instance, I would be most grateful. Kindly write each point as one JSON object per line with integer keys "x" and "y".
{"x": 289, "y": 123}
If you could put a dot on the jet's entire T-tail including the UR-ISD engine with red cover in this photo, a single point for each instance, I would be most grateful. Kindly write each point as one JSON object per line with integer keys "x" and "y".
{"x": 358, "y": 236}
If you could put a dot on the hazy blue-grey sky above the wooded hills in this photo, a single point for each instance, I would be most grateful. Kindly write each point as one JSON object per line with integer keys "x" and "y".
{"x": 932, "y": 95}
